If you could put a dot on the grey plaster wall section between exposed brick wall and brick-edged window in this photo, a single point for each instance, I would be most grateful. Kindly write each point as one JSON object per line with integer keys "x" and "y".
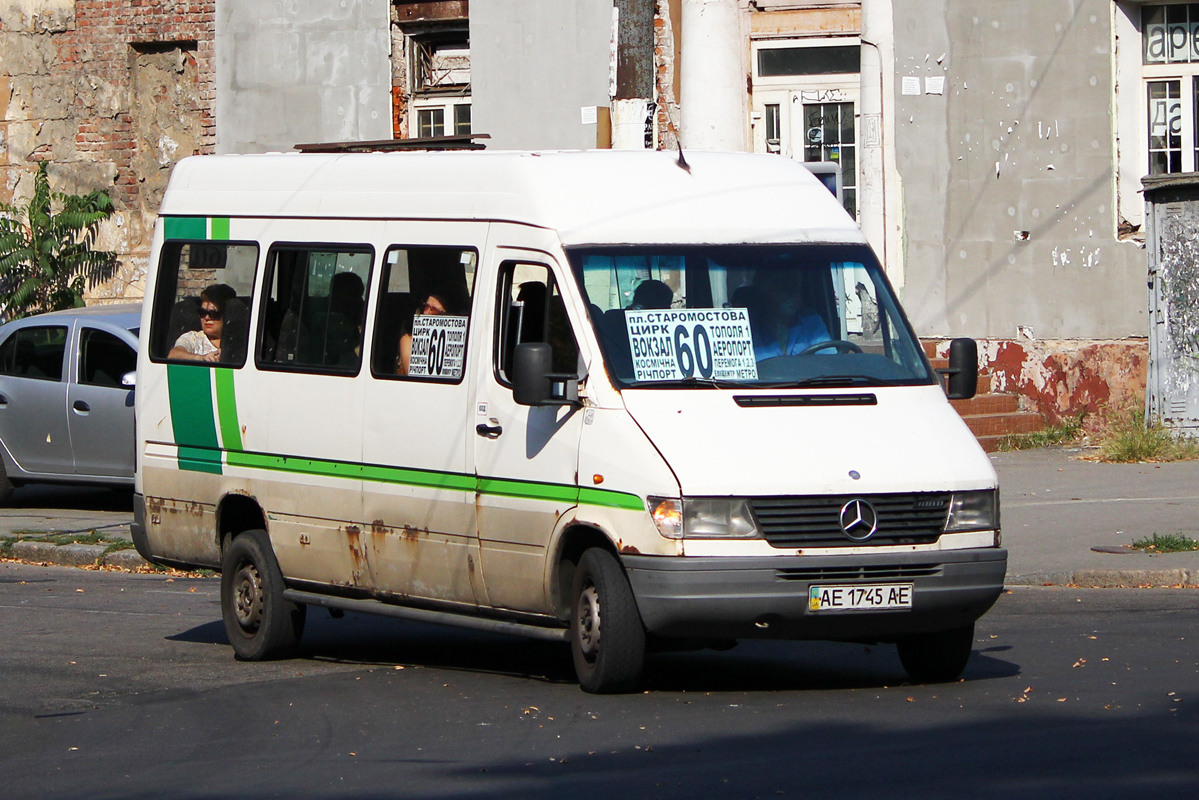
{"x": 302, "y": 71}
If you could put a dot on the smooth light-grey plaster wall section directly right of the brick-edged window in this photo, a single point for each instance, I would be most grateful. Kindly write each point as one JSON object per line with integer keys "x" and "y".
{"x": 534, "y": 67}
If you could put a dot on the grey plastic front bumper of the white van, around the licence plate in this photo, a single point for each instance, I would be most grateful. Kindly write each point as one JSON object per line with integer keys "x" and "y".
{"x": 768, "y": 598}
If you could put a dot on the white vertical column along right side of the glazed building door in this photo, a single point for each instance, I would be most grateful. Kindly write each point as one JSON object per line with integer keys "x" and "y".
{"x": 879, "y": 182}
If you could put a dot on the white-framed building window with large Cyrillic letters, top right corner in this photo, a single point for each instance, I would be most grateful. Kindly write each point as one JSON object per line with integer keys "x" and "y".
{"x": 1171, "y": 59}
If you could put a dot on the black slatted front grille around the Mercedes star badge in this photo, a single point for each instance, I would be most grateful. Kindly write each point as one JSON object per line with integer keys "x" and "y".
{"x": 917, "y": 519}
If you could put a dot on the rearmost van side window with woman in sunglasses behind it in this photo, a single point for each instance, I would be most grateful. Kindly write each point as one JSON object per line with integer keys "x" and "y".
{"x": 203, "y": 302}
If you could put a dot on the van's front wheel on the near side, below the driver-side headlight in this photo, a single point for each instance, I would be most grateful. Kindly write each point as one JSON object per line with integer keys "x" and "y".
{"x": 607, "y": 637}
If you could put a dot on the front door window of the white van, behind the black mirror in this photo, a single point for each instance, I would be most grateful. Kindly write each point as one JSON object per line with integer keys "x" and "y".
{"x": 532, "y": 310}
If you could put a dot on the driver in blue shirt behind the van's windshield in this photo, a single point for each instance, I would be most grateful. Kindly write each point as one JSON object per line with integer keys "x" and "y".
{"x": 780, "y": 322}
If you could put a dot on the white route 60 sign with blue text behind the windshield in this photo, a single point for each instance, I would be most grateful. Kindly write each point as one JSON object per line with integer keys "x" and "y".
{"x": 679, "y": 344}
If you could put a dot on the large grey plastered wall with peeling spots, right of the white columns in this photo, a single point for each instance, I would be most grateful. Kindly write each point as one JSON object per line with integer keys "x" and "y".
{"x": 1009, "y": 215}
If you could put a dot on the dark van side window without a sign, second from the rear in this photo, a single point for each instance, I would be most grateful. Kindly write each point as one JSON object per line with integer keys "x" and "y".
{"x": 315, "y": 308}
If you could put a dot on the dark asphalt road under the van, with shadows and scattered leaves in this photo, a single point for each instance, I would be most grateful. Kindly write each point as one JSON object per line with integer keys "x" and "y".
{"x": 119, "y": 685}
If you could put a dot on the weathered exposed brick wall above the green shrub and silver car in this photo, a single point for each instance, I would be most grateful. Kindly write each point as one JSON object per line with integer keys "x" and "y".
{"x": 79, "y": 87}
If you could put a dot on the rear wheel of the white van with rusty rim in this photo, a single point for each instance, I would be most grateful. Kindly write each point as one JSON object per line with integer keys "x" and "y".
{"x": 260, "y": 623}
